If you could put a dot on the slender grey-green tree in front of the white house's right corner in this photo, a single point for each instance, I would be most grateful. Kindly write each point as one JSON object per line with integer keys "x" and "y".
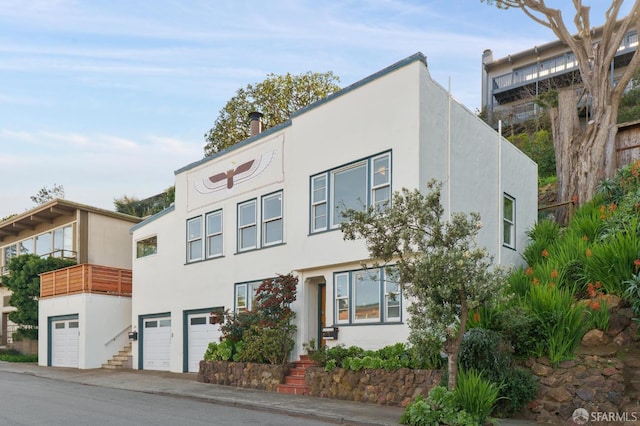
{"x": 438, "y": 264}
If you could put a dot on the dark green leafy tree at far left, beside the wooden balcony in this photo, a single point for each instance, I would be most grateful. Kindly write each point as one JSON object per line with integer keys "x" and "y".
{"x": 24, "y": 282}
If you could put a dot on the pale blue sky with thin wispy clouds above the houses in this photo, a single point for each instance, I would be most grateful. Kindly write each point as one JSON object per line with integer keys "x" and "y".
{"x": 108, "y": 98}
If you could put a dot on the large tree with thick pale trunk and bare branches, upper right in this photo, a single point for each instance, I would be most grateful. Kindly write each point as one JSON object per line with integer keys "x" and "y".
{"x": 585, "y": 154}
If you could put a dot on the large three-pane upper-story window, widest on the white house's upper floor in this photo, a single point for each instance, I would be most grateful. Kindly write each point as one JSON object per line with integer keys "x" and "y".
{"x": 355, "y": 186}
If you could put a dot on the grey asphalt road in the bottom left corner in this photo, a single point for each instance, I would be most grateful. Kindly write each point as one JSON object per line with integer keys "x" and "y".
{"x": 28, "y": 400}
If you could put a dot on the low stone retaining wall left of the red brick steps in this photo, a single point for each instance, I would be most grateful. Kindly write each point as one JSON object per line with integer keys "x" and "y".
{"x": 242, "y": 375}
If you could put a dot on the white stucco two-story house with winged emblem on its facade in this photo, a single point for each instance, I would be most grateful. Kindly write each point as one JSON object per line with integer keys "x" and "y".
{"x": 268, "y": 206}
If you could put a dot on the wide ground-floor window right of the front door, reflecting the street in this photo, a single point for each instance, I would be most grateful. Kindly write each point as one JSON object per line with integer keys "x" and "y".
{"x": 367, "y": 296}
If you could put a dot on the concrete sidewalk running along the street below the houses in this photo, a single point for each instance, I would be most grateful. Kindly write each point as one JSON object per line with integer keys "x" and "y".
{"x": 185, "y": 385}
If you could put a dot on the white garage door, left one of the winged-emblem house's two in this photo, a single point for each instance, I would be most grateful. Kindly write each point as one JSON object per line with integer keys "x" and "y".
{"x": 157, "y": 343}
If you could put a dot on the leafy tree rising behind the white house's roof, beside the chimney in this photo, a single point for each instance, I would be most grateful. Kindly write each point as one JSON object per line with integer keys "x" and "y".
{"x": 277, "y": 97}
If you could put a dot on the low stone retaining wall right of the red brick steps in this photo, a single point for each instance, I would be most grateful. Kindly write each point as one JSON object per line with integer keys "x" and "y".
{"x": 384, "y": 387}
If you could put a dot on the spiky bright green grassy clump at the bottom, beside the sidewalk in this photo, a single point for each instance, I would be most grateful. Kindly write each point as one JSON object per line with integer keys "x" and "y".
{"x": 476, "y": 394}
